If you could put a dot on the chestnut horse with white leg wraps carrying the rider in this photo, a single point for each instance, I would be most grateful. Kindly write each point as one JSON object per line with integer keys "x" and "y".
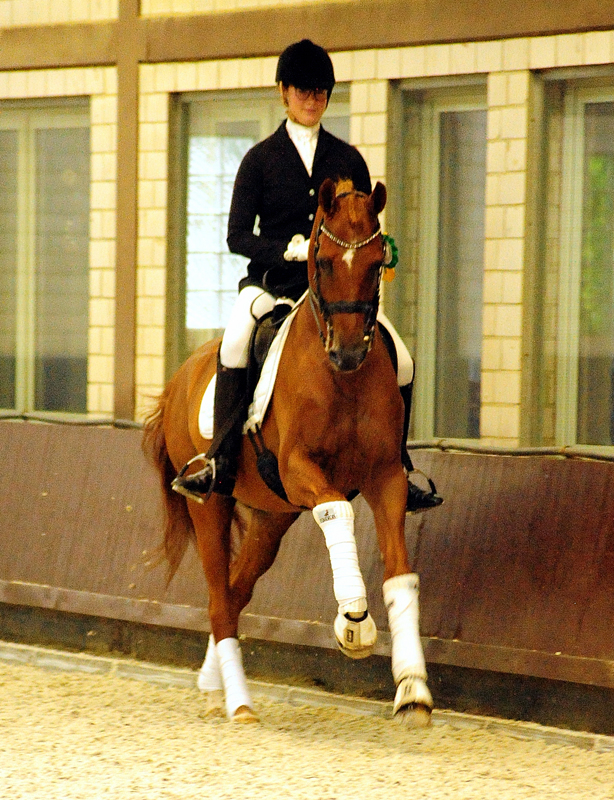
{"x": 334, "y": 424}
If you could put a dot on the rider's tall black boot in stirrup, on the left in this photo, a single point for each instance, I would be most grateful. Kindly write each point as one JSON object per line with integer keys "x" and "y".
{"x": 220, "y": 470}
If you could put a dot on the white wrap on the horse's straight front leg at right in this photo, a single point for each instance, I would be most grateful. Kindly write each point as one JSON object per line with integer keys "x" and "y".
{"x": 401, "y": 599}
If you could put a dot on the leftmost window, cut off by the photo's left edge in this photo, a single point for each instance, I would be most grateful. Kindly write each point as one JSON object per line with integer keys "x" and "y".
{"x": 44, "y": 257}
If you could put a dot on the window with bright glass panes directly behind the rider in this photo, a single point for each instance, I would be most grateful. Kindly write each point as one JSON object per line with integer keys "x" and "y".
{"x": 216, "y": 131}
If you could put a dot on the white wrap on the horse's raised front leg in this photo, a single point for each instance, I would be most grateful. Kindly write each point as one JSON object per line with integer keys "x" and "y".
{"x": 336, "y": 519}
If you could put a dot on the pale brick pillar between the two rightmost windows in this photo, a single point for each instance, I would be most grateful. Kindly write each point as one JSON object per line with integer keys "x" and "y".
{"x": 509, "y": 254}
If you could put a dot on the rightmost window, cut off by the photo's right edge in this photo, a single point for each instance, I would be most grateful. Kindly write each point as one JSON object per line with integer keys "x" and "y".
{"x": 585, "y": 366}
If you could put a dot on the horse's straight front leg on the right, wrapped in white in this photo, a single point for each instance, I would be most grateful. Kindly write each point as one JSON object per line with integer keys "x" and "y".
{"x": 413, "y": 702}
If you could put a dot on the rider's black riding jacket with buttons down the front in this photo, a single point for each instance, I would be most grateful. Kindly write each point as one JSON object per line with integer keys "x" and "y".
{"x": 273, "y": 185}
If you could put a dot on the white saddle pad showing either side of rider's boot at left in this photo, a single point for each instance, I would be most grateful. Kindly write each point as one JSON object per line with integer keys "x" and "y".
{"x": 264, "y": 389}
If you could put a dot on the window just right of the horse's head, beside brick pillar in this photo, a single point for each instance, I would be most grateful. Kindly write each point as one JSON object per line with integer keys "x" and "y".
{"x": 437, "y": 305}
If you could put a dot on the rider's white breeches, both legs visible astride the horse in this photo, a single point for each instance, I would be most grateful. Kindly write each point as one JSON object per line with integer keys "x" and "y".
{"x": 253, "y": 302}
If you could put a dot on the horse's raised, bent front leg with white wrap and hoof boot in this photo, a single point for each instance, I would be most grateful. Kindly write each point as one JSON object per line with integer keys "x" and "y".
{"x": 354, "y": 628}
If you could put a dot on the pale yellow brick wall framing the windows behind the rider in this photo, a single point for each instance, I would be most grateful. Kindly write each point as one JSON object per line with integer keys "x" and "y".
{"x": 507, "y": 66}
